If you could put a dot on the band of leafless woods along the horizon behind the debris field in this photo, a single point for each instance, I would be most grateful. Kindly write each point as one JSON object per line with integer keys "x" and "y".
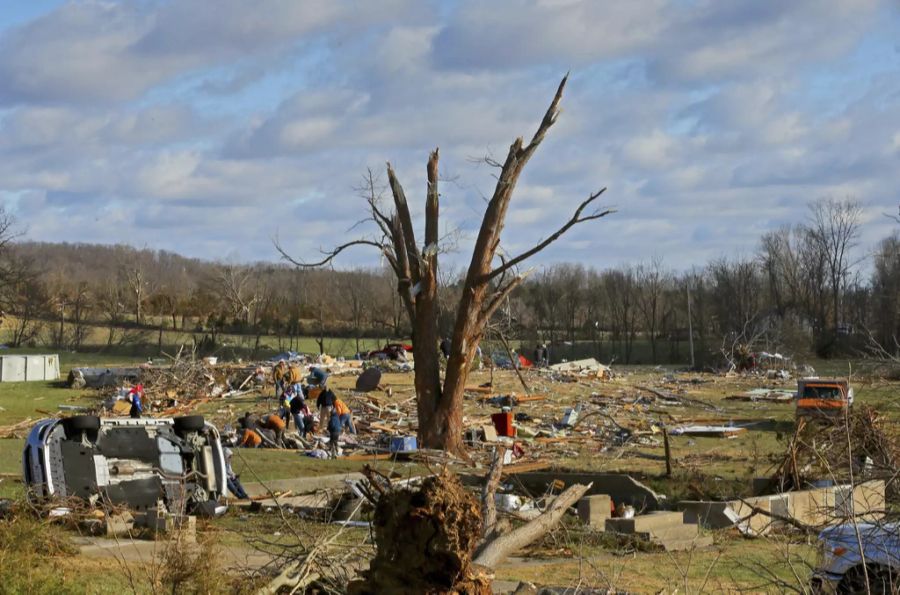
{"x": 801, "y": 293}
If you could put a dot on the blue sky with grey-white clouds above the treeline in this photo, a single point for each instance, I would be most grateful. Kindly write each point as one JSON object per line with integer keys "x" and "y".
{"x": 207, "y": 127}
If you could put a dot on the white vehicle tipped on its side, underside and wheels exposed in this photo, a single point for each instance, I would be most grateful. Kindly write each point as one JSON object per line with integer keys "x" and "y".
{"x": 141, "y": 463}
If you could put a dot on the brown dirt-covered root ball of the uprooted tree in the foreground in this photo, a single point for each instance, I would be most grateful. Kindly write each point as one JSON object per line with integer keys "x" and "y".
{"x": 425, "y": 540}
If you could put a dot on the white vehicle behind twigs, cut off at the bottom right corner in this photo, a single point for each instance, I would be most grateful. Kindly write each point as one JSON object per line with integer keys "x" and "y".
{"x": 843, "y": 567}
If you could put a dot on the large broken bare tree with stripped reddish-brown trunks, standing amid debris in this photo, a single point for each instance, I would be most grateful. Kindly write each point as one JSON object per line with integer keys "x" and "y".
{"x": 487, "y": 284}
